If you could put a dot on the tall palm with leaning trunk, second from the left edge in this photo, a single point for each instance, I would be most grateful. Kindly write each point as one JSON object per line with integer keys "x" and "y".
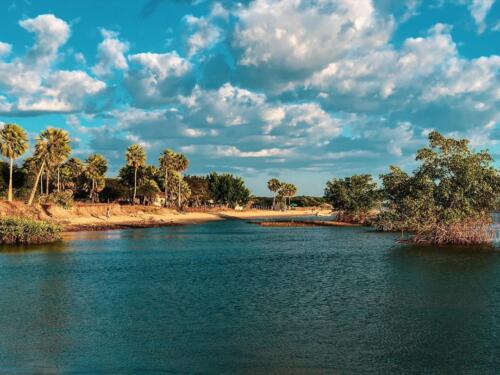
{"x": 51, "y": 149}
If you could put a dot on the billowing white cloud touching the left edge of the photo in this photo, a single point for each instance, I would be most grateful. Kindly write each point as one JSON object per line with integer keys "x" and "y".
{"x": 31, "y": 82}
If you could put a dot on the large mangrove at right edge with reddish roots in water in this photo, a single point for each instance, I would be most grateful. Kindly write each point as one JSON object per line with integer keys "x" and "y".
{"x": 449, "y": 197}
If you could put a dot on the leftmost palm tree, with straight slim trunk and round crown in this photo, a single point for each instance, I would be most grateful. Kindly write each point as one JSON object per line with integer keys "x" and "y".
{"x": 13, "y": 143}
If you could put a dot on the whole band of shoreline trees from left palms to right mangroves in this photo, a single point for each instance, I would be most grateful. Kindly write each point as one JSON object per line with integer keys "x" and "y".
{"x": 447, "y": 199}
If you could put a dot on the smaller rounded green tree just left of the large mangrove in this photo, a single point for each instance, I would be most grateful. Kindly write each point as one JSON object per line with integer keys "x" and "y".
{"x": 354, "y": 196}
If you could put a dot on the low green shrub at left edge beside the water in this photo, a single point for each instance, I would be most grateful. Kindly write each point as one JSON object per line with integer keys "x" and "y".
{"x": 21, "y": 230}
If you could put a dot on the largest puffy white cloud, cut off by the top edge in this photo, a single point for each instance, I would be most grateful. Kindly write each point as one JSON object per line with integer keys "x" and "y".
{"x": 290, "y": 39}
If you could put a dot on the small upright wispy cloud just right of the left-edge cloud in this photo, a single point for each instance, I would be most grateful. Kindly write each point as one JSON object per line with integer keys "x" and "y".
{"x": 111, "y": 54}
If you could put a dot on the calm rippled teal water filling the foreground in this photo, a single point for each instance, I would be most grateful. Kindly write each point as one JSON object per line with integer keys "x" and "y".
{"x": 231, "y": 297}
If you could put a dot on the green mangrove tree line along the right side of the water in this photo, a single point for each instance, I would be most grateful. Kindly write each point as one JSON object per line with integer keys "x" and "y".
{"x": 449, "y": 197}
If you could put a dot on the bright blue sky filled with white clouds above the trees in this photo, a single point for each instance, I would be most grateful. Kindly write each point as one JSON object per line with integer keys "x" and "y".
{"x": 300, "y": 90}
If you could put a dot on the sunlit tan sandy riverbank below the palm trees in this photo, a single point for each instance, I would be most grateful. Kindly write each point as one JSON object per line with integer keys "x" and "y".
{"x": 98, "y": 217}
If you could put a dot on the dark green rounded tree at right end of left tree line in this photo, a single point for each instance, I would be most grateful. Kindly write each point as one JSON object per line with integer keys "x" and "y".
{"x": 227, "y": 189}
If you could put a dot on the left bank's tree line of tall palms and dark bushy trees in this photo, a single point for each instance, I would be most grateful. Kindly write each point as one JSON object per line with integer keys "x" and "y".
{"x": 53, "y": 175}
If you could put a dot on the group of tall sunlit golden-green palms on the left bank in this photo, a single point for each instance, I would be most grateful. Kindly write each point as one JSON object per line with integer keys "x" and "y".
{"x": 51, "y": 159}
